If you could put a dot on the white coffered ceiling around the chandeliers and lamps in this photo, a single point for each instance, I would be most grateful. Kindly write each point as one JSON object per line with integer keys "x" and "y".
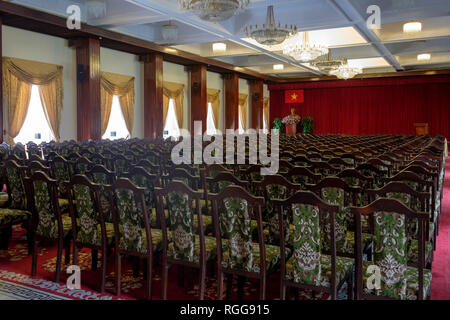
{"x": 339, "y": 24}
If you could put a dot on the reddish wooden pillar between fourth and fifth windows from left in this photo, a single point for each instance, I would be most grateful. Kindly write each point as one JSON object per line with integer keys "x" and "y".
{"x": 231, "y": 83}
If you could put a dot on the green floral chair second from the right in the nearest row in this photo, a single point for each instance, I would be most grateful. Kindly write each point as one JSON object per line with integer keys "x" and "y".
{"x": 309, "y": 267}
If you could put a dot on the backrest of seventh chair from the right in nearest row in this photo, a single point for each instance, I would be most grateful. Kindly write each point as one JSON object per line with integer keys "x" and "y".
{"x": 44, "y": 202}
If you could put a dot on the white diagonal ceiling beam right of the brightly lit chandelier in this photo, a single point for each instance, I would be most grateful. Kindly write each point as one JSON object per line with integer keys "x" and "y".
{"x": 346, "y": 7}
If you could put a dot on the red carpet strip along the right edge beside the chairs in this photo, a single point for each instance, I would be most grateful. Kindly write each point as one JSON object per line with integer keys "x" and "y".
{"x": 440, "y": 287}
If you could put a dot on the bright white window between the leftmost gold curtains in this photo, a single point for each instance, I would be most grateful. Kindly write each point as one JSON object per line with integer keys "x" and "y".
{"x": 35, "y": 127}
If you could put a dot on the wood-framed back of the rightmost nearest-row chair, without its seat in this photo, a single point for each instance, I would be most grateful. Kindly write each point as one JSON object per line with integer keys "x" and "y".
{"x": 390, "y": 247}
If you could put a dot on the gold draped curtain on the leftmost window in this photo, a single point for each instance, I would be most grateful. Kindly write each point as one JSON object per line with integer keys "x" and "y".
{"x": 18, "y": 77}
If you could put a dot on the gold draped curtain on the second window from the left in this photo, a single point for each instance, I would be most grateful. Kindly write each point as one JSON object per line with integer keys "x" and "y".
{"x": 122, "y": 86}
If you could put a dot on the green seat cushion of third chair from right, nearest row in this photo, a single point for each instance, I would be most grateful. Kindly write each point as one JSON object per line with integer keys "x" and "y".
{"x": 272, "y": 256}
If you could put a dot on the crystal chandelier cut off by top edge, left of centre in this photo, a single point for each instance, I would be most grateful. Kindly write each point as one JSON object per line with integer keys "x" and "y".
{"x": 214, "y": 10}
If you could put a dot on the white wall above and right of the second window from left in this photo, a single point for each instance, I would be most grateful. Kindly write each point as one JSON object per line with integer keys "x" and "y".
{"x": 127, "y": 64}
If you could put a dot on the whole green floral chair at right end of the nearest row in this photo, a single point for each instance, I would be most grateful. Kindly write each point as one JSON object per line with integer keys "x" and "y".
{"x": 397, "y": 280}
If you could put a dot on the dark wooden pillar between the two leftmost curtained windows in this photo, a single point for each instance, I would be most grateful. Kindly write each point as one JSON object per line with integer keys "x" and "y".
{"x": 88, "y": 88}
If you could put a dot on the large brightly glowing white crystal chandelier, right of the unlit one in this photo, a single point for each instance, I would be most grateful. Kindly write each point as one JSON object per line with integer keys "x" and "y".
{"x": 302, "y": 50}
